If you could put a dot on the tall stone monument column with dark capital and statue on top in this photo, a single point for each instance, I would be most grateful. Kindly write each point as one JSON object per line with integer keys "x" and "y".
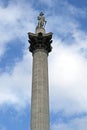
{"x": 40, "y": 46}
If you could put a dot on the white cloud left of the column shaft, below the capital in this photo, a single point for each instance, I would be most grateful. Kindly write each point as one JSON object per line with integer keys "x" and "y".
{"x": 15, "y": 88}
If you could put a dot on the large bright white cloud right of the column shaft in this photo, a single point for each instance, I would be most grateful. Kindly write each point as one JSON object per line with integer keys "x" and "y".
{"x": 68, "y": 84}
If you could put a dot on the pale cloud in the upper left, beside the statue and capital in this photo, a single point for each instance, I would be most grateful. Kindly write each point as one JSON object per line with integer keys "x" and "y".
{"x": 15, "y": 21}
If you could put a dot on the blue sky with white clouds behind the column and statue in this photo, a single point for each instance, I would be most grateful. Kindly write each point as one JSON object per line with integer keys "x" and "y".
{"x": 67, "y": 19}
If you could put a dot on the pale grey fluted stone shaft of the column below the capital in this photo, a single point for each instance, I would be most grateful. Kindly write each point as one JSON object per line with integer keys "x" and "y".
{"x": 40, "y": 92}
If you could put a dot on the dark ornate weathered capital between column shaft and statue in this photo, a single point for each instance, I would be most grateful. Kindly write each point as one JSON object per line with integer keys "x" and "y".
{"x": 40, "y": 41}
